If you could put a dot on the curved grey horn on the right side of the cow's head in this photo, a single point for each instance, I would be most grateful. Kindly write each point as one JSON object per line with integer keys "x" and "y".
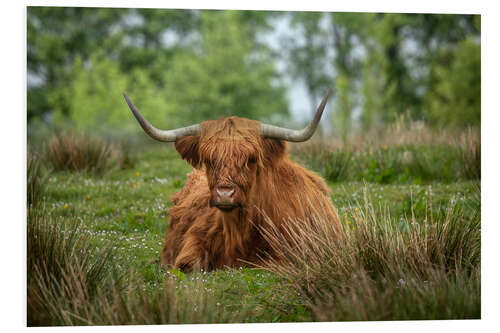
{"x": 275, "y": 132}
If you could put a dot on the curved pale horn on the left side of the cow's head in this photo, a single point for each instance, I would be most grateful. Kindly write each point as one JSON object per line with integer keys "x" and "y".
{"x": 160, "y": 135}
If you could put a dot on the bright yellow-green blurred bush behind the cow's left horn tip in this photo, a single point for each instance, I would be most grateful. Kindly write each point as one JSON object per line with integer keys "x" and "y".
{"x": 95, "y": 100}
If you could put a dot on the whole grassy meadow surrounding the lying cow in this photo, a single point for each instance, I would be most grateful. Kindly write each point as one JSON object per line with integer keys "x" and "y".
{"x": 410, "y": 251}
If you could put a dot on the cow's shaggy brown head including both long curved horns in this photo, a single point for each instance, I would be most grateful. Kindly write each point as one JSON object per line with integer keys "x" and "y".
{"x": 232, "y": 151}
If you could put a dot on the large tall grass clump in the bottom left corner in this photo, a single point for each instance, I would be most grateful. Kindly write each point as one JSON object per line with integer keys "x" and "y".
{"x": 63, "y": 272}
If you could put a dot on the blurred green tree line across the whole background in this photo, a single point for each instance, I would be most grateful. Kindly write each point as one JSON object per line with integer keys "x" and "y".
{"x": 184, "y": 66}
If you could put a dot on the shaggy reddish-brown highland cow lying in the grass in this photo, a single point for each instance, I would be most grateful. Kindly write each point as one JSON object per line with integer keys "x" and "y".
{"x": 242, "y": 179}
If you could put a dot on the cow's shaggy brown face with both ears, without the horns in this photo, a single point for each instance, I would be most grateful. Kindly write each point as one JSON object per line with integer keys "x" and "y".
{"x": 232, "y": 153}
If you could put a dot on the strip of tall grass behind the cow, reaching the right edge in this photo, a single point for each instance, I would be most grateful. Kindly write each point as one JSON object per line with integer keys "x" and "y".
{"x": 396, "y": 156}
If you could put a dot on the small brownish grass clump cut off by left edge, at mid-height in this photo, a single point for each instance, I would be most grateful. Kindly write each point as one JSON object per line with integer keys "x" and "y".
{"x": 35, "y": 180}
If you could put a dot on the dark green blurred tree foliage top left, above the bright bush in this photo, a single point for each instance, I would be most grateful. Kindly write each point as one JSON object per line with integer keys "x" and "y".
{"x": 57, "y": 36}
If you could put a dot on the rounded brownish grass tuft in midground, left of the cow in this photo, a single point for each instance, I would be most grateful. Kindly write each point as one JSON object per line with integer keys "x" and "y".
{"x": 76, "y": 152}
